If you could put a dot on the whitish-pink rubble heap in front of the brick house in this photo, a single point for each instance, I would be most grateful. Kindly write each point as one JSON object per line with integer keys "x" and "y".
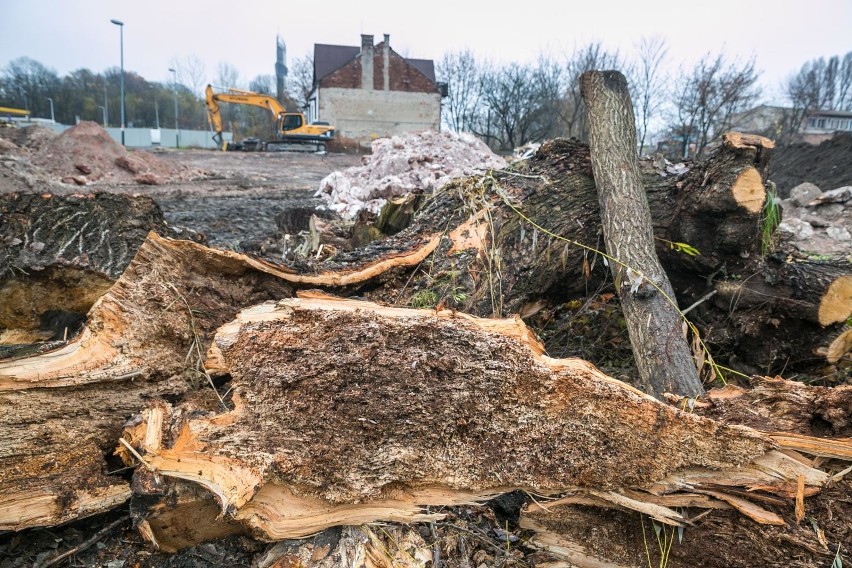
{"x": 403, "y": 164}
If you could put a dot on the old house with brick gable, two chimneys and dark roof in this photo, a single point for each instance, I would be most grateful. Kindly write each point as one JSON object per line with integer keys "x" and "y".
{"x": 371, "y": 91}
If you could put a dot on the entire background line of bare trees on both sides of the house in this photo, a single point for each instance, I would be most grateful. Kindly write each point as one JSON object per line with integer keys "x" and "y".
{"x": 506, "y": 105}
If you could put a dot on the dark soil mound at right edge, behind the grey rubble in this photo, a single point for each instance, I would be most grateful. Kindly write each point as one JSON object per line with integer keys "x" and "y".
{"x": 828, "y": 165}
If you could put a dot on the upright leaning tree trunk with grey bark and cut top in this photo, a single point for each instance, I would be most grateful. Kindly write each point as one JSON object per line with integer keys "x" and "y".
{"x": 660, "y": 350}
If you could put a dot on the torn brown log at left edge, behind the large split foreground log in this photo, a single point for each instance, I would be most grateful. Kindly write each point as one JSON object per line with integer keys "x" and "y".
{"x": 144, "y": 338}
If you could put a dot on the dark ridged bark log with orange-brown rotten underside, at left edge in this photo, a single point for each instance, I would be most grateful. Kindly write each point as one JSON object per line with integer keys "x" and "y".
{"x": 58, "y": 254}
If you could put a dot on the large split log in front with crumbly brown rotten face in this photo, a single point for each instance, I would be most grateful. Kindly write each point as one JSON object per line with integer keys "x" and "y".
{"x": 348, "y": 412}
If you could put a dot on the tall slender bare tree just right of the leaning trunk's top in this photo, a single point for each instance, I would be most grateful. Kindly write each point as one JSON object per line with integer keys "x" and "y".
{"x": 648, "y": 84}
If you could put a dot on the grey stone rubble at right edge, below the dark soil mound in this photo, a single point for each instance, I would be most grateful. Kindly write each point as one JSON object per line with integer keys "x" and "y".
{"x": 820, "y": 222}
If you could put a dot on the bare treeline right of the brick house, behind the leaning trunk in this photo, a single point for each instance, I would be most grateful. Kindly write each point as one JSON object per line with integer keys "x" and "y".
{"x": 690, "y": 108}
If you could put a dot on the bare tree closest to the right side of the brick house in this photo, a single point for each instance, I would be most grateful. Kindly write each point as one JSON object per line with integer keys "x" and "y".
{"x": 462, "y": 75}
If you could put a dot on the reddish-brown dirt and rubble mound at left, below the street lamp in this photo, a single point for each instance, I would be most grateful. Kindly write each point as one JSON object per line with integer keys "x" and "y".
{"x": 82, "y": 155}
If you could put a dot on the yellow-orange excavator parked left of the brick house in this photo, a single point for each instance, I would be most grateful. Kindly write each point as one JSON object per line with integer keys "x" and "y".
{"x": 293, "y": 133}
